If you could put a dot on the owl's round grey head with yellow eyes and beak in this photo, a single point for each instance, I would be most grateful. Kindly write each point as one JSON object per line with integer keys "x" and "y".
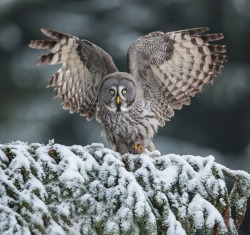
{"x": 117, "y": 91}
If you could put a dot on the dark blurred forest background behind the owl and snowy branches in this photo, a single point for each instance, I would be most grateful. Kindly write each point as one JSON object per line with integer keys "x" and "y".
{"x": 218, "y": 120}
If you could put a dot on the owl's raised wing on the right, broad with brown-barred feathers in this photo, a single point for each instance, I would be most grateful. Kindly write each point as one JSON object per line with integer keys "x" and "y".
{"x": 174, "y": 66}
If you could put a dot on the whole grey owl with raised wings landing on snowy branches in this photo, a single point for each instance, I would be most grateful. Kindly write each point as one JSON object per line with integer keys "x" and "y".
{"x": 164, "y": 71}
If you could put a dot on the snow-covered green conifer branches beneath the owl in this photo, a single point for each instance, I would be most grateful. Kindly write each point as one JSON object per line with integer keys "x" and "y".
{"x": 55, "y": 189}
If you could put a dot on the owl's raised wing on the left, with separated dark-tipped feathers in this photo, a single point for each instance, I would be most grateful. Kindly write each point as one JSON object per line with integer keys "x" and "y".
{"x": 83, "y": 66}
